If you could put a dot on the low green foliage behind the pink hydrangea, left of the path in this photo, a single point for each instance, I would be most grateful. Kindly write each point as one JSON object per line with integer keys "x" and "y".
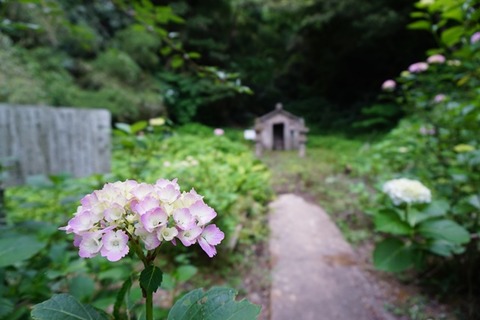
{"x": 233, "y": 182}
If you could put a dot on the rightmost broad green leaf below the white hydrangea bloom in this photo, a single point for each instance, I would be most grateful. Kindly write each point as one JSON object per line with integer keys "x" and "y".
{"x": 444, "y": 229}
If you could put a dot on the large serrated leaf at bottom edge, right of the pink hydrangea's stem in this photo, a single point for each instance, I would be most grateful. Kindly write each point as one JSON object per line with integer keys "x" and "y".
{"x": 215, "y": 304}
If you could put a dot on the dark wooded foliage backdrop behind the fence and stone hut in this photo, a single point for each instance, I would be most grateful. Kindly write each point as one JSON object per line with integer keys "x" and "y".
{"x": 323, "y": 59}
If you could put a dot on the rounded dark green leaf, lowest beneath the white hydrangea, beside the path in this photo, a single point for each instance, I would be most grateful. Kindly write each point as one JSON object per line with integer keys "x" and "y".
{"x": 393, "y": 255}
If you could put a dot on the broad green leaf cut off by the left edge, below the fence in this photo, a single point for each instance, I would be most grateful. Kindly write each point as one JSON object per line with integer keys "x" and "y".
{"x": 16, "y": 249}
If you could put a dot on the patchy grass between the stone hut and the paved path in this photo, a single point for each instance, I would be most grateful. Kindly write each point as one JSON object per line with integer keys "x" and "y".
{"x": 324, "y": 177}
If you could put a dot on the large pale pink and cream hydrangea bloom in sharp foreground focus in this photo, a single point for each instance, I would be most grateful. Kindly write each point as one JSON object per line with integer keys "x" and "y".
{"x": 145, "y": 213}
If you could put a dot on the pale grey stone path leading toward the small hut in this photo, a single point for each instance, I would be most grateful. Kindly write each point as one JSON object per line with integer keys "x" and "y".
{"x": 314, "y": 272}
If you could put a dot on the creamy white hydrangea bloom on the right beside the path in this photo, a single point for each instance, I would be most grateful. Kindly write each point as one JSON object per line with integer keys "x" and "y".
{"x": 407, "y": 191}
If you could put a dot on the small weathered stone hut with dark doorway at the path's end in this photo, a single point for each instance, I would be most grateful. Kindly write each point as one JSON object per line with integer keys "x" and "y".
{"x": 280, "y": 130}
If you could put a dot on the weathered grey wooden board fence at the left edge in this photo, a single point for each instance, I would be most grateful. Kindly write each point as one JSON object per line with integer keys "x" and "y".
{"x": 44, "y": 140}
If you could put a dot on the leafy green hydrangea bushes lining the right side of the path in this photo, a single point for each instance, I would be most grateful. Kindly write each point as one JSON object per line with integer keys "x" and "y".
{"x": 437, "y": 144}
